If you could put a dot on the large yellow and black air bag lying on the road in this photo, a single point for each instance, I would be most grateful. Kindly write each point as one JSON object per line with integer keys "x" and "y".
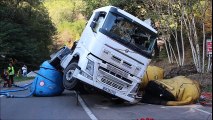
{"x": 175, "y": 91}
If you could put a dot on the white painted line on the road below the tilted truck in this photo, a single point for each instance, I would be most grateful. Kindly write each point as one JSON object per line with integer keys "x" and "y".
{"x": 87, "y": 110}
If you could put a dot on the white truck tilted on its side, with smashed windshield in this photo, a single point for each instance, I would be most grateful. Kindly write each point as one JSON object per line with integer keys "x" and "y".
{"x": 112, "y": 54}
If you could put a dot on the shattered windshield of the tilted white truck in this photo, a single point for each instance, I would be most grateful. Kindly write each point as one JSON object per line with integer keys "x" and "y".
{"x": 129, "y": 32}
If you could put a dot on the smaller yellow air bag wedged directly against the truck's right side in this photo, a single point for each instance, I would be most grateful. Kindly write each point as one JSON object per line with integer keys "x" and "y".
{"x": 152, "y": 73}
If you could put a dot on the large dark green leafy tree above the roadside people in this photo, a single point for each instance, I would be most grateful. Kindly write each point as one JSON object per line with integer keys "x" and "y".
{"x": 25, "y": 31}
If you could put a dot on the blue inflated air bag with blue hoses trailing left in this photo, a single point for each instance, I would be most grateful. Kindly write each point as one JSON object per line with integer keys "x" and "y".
{"x": 48, "y": 82}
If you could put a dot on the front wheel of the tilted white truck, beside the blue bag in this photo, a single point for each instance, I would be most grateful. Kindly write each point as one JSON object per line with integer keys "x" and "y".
{"x": 69, "y": 81}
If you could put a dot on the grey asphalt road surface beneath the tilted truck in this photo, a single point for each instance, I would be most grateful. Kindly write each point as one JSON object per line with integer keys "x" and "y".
{"x": 93, "y": 106}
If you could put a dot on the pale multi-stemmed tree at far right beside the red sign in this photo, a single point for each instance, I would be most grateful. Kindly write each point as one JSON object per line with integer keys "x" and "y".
{"x": 194, "y": 19}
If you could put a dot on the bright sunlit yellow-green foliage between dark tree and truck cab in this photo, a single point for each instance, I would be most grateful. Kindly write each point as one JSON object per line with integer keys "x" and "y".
{"x": 68, "y": 19}
